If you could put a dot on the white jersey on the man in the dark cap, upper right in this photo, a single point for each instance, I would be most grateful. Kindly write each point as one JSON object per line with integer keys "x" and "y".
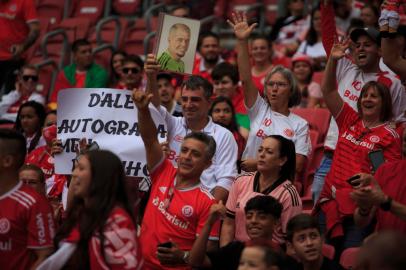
{"x": 350, "y": 82}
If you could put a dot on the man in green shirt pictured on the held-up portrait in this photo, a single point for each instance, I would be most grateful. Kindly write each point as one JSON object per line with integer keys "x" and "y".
{"x": 178, "y": 44}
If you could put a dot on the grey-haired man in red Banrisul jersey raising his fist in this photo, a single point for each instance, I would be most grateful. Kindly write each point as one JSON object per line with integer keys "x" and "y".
{"x": 178, "y": 206}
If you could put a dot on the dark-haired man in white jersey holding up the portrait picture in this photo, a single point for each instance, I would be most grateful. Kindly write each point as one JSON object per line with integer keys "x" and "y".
{"x": 195, "y": 101}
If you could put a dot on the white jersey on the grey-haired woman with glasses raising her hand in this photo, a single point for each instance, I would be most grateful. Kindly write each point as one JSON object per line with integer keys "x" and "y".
{"x": 265, "y": 122}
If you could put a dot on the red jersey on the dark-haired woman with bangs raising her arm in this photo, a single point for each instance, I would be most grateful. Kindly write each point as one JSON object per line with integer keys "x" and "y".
{"x": 351, "y": 155}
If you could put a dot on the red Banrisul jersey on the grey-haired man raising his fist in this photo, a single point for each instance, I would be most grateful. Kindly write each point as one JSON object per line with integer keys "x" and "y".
{"x": 175, "y": 215}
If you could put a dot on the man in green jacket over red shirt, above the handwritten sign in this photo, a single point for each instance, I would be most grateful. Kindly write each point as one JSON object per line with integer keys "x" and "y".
{"x": 83, "y": 73}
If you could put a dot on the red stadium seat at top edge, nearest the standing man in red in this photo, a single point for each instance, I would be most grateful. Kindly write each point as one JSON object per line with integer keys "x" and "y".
{"x": 52, "y": 10}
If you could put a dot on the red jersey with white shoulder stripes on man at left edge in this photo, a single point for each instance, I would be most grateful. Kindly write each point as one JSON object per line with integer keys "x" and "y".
{"x": 26, "y": 224}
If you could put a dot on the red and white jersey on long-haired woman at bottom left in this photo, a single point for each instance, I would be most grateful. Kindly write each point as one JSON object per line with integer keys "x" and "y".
{"x": 120, "y": 244}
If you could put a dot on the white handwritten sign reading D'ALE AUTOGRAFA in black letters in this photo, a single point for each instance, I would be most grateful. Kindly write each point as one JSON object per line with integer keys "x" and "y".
{"x": 107, "y": 116}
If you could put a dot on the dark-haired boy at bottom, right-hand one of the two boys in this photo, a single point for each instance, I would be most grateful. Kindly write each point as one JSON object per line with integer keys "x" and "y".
{"x": 303, "y": 238}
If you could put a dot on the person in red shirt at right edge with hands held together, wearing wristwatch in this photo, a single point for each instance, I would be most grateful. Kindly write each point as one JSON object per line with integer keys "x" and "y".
{"x": 385, "y": 198}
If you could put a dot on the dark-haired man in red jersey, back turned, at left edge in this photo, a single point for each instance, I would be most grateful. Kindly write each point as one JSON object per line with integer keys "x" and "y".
{"x": 26, "y": 222}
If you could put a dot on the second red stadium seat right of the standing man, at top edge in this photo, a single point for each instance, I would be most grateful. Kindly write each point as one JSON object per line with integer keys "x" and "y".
{"x": 92, "y": 10}
